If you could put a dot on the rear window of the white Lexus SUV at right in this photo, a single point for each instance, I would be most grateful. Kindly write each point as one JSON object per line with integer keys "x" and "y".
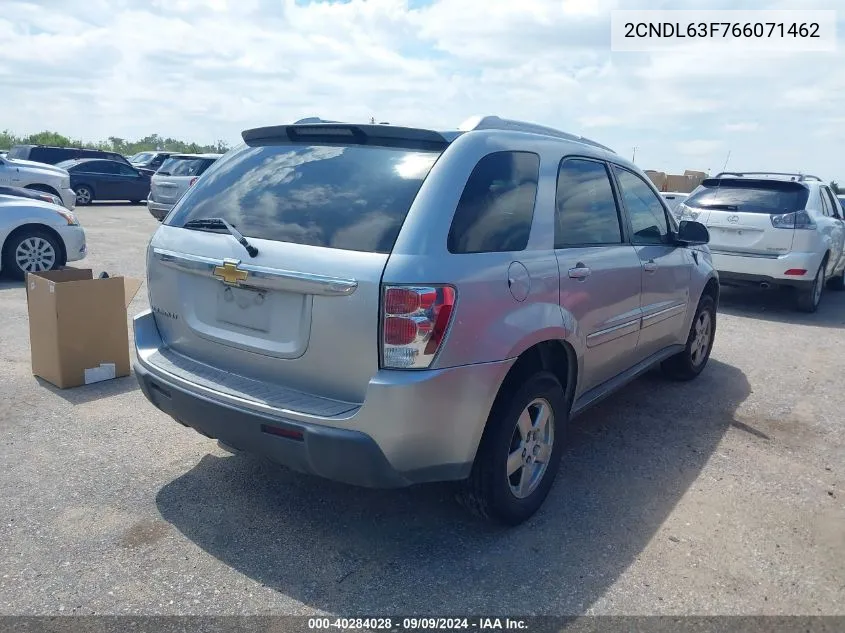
{"x": 750, "y": 196}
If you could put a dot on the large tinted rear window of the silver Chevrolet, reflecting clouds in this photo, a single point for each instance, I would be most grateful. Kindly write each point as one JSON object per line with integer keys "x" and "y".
{"x": 347, "y": 197}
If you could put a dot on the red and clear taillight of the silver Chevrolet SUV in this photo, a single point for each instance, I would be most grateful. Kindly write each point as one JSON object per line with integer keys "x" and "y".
{"x": 415, "y": 320}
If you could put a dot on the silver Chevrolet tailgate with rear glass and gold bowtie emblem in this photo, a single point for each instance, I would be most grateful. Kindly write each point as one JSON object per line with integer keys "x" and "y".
{"x": 303, "y": 313}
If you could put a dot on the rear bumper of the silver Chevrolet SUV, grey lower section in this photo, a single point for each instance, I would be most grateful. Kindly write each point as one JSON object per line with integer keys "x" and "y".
{"x": 413, "y": 427}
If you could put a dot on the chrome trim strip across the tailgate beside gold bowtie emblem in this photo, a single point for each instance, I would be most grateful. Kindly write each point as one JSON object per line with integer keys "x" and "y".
{"x": 261, "y": 276}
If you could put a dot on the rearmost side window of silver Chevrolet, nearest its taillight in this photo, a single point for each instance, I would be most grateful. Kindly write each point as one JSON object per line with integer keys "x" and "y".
{"x": 496, "y": 207}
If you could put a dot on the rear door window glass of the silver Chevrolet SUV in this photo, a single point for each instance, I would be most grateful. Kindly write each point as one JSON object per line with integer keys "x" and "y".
{"x": 585, "y": 208}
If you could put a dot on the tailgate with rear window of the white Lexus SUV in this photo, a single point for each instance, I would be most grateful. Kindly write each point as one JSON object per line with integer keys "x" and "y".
{"x": 738, "y": 213}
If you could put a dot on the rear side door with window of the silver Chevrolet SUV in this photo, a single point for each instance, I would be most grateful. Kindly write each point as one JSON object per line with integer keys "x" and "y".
{"x": 600, "y": 276}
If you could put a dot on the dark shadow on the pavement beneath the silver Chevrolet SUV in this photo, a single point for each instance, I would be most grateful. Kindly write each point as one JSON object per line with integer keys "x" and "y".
{"x": 355, "y": 551}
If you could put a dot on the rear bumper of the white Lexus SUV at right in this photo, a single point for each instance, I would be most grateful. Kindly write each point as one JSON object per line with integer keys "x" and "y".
{"x": 741, "y": 270}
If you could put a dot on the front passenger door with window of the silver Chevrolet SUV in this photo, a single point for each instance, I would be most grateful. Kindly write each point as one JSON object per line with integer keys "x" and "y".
{"x": 666, "y": 267}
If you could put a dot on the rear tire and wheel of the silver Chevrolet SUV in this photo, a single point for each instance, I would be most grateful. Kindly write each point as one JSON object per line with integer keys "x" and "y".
{"x": 490, "y": 492}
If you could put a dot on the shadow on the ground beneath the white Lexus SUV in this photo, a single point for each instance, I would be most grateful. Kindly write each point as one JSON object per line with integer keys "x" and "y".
{"x": 778, "y": 305}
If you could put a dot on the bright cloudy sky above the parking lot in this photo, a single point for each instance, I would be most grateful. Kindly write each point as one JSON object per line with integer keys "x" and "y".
{"x": 203, "y": 70}
